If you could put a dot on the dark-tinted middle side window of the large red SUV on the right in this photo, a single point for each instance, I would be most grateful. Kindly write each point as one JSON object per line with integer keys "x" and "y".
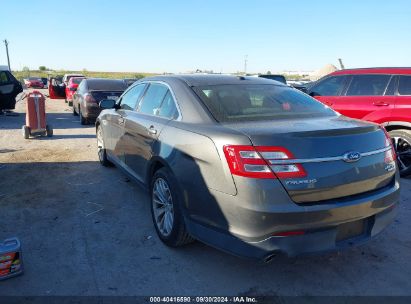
{"x": 368, "y": 85}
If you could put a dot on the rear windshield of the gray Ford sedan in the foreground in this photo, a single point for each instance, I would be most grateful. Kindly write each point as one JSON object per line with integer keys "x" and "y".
{"x": 231, "y": 103}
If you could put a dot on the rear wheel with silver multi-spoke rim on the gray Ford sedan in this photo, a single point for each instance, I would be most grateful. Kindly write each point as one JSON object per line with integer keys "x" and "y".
{"x": 165, "y": 209}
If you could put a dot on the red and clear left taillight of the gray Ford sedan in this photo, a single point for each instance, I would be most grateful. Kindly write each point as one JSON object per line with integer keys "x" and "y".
{"x": 250, "y": 161}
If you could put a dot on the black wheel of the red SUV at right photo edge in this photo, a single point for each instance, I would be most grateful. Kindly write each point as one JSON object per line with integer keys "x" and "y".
{"x": 402, "y": 143}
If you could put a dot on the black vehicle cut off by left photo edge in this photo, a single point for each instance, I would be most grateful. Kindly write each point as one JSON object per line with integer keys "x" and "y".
{"x": 10, "y": 87}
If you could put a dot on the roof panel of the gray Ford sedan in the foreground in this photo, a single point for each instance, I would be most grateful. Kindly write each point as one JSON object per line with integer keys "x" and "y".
{"x": 214, "y": 79}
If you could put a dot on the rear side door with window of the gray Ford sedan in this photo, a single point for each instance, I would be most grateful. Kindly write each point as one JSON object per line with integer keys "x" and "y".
{"x": 156, "y": 108}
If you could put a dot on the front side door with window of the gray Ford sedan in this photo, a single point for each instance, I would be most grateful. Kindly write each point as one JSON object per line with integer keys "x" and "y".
{"x": 127, "y": 103}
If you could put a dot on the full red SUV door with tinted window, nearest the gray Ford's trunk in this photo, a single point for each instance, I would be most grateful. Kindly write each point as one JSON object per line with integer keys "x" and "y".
{"x": 367, "y": 97}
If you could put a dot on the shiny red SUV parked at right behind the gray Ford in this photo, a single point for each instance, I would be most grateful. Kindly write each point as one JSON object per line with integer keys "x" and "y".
{"x": 380, "y": 95}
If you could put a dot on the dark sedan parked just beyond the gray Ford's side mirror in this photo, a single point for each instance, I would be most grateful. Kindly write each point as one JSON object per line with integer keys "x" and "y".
{"x": 90, "y": 92}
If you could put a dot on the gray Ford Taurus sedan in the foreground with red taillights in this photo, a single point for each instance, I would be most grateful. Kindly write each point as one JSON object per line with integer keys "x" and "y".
{"x": 250, "y": 166}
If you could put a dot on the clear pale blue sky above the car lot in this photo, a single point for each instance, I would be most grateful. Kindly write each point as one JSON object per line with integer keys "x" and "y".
{"x": 183, "y": 35}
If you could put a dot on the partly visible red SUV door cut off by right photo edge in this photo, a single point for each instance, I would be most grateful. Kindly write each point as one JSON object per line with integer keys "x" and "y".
{"x": 402, "y": 108}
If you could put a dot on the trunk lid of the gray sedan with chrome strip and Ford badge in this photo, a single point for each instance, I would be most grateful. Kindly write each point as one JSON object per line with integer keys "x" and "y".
{"x": 340, "y": 156}
